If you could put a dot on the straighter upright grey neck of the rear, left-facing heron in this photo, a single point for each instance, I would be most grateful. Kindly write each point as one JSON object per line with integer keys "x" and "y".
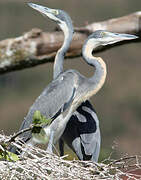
{"x": 59, "y": 59}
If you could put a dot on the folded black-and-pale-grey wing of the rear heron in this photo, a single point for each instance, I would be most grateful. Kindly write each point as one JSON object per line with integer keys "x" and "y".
{"x": 89, "y": 132}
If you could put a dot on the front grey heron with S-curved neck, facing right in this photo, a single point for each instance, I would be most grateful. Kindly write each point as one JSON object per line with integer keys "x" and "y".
{"x": 66, "y": 92}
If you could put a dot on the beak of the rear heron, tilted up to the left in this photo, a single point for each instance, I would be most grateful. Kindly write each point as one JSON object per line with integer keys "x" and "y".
{"x": 42, "y": 9}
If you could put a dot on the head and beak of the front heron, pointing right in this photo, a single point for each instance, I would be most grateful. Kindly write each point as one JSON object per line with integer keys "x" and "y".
{"x": 102, "y": 37}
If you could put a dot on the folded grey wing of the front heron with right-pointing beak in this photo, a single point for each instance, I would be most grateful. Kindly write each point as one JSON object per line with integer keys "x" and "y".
{"x": 54, "y": 99}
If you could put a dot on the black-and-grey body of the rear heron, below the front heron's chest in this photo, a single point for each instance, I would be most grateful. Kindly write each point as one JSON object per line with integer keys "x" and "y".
{"x": 82, "y": 133}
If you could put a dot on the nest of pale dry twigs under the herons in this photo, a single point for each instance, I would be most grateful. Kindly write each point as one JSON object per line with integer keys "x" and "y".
{"x": 35, "y": 163}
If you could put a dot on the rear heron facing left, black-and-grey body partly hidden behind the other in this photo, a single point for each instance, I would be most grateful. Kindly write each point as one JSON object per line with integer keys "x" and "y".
{"x": 82, "y": 133}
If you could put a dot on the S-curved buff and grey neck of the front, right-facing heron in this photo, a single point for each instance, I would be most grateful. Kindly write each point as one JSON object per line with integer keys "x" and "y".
{"x": 100, "y": 72}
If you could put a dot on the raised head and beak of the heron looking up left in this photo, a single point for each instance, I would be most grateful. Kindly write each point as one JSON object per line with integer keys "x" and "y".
{"x": 59, "y": 16}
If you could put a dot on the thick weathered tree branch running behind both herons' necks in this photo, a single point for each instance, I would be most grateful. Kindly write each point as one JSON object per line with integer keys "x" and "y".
{"x": 36, "y": 47}
